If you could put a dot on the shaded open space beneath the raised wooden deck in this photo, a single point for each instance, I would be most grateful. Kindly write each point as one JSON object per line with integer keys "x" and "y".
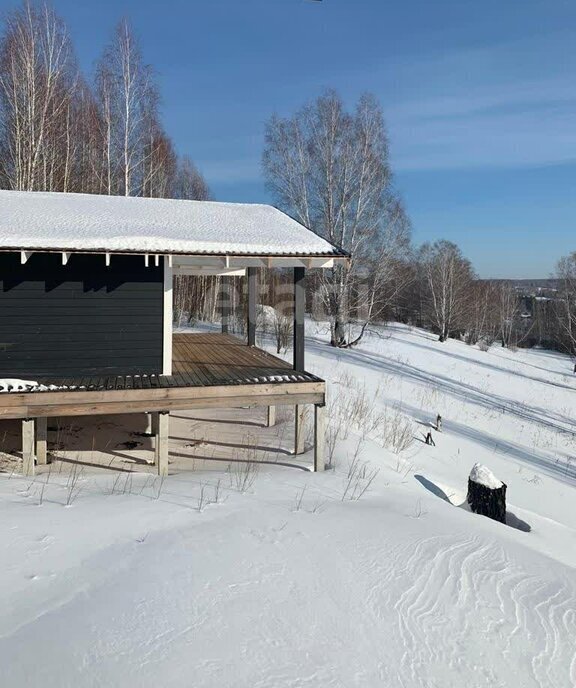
{"x": 198, "y": 440}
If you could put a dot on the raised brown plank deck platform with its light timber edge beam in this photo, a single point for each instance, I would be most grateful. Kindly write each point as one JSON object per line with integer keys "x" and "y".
{"x": 209, "y": 371}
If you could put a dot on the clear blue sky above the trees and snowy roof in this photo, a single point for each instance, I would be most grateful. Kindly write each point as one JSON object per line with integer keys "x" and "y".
{"x": 479, "y": 98}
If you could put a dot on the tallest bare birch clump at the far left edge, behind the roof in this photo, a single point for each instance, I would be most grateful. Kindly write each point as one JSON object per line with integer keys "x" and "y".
{"x": 38, "y": 80}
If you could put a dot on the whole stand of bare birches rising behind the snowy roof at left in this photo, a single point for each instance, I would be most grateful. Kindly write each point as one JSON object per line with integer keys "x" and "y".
{"x": 59, "y": 134}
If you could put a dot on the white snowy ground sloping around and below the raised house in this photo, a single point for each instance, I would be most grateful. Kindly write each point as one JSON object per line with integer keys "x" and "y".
{"x": 366, "y": 575}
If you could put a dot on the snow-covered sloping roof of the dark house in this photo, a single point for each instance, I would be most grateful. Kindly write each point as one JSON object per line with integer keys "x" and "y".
{"x": 84, "y": 222}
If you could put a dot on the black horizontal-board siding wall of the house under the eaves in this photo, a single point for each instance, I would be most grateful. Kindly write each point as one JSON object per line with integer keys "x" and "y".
{"x": 83, "y": 318}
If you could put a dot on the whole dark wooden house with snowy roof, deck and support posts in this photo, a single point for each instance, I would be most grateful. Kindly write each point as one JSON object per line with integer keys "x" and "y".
{"x": 86, "y": 311}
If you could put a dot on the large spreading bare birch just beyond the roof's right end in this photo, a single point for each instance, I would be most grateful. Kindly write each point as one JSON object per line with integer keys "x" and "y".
{"x": 329, "y": 169}
